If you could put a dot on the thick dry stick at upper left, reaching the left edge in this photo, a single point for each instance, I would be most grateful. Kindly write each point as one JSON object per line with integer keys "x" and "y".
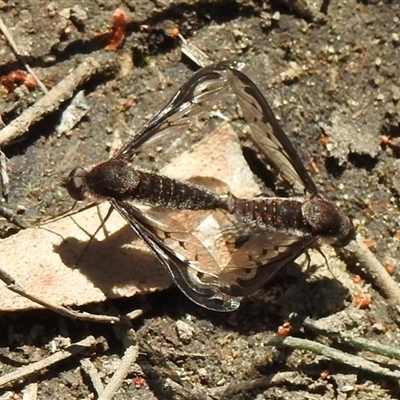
{"x": 51, "y": 101}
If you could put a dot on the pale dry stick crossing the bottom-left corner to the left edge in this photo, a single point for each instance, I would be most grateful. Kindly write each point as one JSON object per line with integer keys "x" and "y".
{"x": 23, "y": 372}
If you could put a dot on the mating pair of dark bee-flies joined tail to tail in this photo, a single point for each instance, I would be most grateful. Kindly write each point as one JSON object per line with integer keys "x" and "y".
{"x": 284, "y": 227}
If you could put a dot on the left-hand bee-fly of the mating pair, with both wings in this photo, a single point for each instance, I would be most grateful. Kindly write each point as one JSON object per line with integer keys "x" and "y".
{"x": 119, "y": 182}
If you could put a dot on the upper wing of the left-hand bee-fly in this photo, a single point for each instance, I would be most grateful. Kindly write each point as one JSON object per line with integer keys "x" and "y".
{"x": 192, "y": 99}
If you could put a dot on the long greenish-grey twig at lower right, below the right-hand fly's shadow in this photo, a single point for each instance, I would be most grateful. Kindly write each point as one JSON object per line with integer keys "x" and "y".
{"x": 351, "y": 360}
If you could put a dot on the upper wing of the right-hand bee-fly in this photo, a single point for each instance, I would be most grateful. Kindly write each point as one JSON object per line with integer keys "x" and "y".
{"x": 266, "y": 132}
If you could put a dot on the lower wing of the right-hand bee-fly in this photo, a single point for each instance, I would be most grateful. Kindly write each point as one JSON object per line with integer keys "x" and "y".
{"x": 259, "y": 259}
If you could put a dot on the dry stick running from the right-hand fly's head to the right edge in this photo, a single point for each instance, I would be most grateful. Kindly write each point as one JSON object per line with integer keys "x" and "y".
{"x": 375, "y": 270}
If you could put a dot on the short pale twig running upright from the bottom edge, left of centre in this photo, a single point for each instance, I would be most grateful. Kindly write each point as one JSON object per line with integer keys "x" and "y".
{"x": 130, "y": 356}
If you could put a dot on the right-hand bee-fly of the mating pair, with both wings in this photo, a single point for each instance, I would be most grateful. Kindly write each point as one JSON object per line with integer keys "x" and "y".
{"x": 287, "y": 226}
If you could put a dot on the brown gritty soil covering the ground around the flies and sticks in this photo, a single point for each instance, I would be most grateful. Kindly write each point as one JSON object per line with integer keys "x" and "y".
{"x": 333, "y": 74}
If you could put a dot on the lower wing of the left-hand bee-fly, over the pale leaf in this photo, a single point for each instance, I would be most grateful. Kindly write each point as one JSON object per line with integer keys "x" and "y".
{"x": 191, "y": 266}
